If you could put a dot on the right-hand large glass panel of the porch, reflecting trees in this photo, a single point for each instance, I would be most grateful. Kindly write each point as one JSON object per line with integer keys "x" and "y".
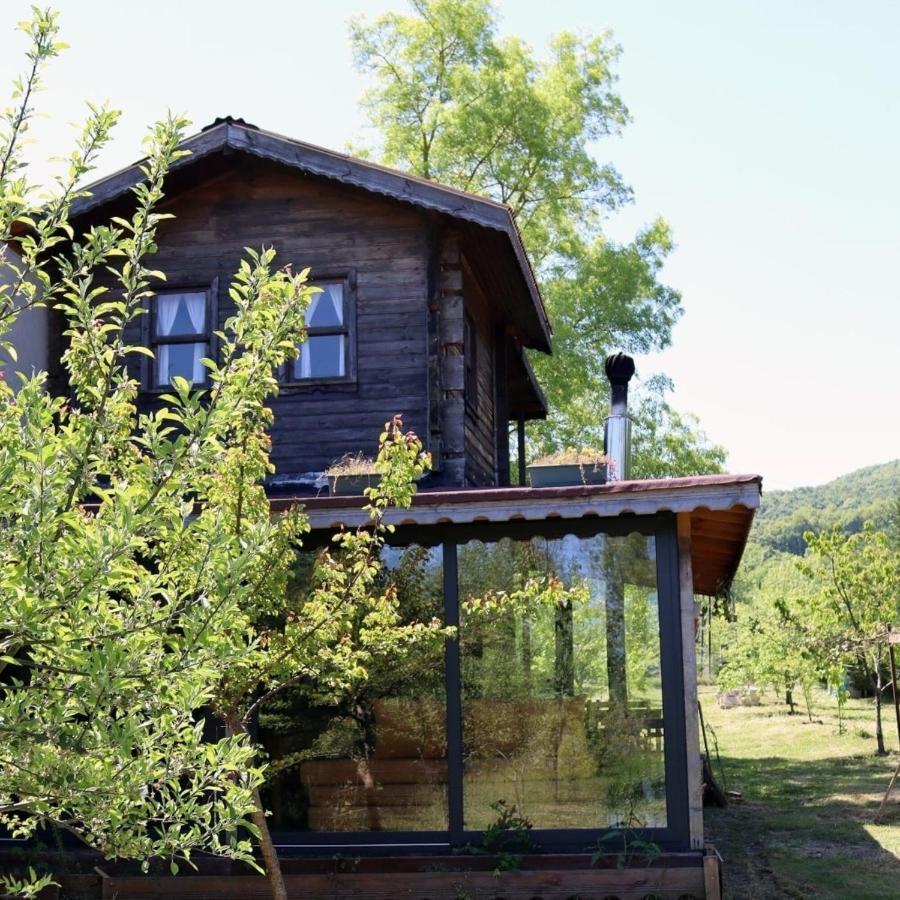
{"x": 561, "y": 687}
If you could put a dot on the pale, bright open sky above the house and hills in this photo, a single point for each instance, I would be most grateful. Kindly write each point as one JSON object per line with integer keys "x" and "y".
{"x": 766, "y": 133}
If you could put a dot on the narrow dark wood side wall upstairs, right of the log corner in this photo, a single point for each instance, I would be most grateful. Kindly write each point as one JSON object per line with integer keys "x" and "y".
{"x": 481, "y": 451}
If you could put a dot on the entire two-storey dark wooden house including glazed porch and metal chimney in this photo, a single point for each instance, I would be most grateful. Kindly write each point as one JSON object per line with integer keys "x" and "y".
{"x": 569, "y": 721}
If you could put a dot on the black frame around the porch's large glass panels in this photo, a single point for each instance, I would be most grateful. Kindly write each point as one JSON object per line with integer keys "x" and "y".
{"x": 675, "y": 837}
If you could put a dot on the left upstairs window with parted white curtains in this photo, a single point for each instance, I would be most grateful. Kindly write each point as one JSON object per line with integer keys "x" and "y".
{"x": 180, "y": 336}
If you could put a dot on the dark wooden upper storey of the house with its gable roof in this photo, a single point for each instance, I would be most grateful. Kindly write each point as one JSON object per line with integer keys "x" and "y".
{"x": 428, "y": 299}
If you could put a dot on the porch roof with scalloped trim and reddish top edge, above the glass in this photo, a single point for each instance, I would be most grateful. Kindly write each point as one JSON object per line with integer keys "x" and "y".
{"x": 720, "y": 507}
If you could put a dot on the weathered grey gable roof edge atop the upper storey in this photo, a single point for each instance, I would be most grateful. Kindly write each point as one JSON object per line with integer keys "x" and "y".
{"x": 227, "y": 133}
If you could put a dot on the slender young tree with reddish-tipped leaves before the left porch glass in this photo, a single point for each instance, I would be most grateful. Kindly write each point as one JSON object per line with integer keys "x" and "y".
{"x": 328, "y": 636}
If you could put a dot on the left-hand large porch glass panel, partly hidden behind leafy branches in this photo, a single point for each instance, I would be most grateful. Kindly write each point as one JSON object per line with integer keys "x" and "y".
{"x": 374, "y": 759}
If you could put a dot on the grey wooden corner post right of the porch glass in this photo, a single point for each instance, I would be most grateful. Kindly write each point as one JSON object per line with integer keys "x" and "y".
{"x": 689, "y": 667}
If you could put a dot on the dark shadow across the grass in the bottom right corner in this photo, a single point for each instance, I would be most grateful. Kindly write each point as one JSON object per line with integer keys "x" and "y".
{"x": 803, "y": 829}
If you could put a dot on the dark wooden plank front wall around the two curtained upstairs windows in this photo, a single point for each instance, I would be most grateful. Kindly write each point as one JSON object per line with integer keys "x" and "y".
{"x": 336, "y": 230}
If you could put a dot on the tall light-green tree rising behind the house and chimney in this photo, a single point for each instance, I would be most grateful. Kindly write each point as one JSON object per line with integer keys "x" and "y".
{"x": 454, "y": 102}
